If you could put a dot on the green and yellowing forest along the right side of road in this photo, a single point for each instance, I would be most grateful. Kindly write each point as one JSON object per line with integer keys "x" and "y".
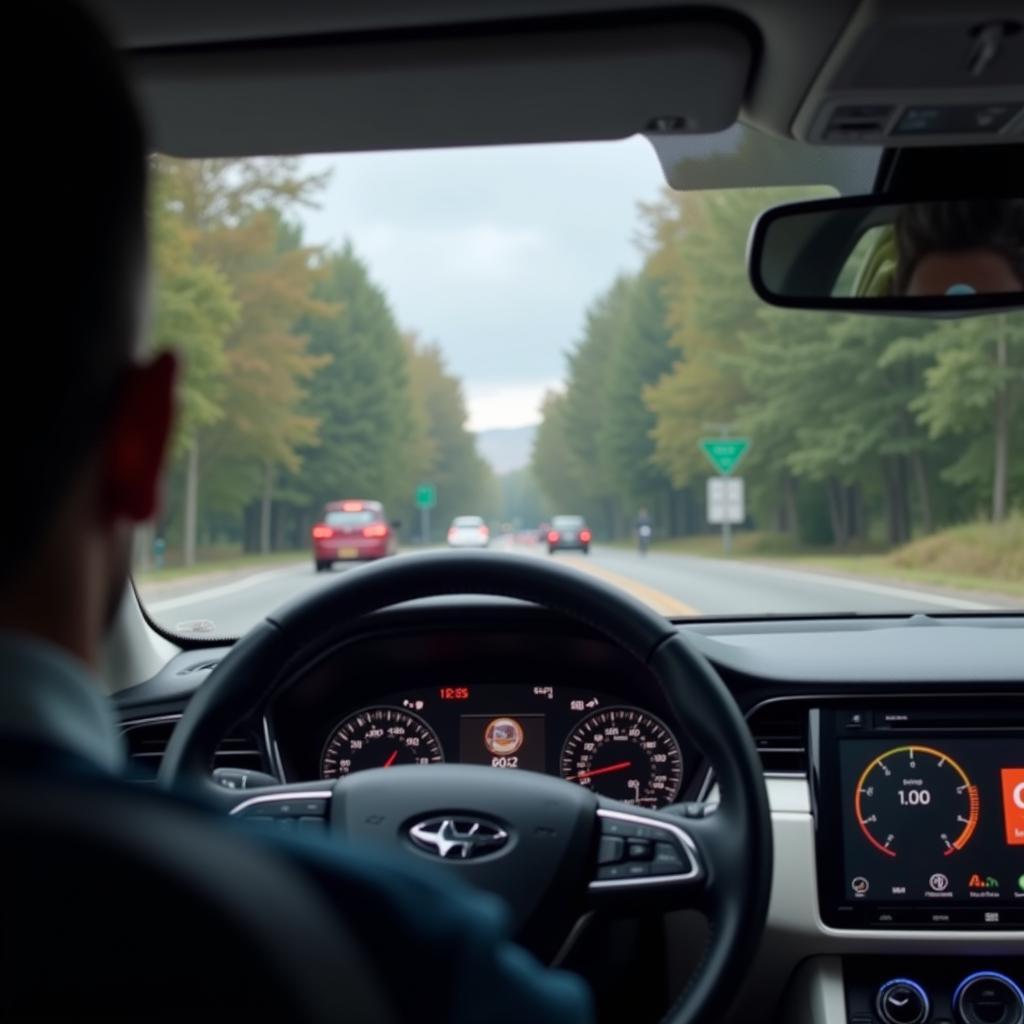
{"x": 862, "y": 429}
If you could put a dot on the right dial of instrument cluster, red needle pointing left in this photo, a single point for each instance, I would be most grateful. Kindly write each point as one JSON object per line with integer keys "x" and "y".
{"x": 625, "y": 754}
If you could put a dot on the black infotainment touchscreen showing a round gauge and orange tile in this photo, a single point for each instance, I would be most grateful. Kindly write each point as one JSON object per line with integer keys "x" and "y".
{"x": 926, "y": 824}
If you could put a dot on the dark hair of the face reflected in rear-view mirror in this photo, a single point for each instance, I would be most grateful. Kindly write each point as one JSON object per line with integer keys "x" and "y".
{"x": 959, "y": 225}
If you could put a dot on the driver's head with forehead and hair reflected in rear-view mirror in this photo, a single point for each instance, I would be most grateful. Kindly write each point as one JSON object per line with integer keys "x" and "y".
{"x": 960, "y": 248}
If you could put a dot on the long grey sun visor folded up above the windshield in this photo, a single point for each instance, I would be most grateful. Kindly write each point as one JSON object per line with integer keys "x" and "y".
{"x": 538, "y": 82}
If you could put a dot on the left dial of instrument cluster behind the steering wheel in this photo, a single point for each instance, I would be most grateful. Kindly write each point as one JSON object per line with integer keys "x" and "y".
{"x": 379, "y": 738}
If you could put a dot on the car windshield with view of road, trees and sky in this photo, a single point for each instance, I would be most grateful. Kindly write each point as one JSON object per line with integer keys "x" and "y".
{"x": 509, "y": 333}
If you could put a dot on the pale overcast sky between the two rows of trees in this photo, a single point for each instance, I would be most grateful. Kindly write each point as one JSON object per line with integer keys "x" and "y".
{"x": 495, "y": 253}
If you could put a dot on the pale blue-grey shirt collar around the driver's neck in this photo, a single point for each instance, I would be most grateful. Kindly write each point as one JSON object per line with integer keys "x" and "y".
{"x": 48, "y": 696}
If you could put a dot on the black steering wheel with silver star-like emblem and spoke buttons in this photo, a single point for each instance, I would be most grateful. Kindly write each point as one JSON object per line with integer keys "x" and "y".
{"x": 552, "y": 848}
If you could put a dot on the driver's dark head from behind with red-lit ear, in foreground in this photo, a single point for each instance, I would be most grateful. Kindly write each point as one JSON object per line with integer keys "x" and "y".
{"x": 86, "y": 418}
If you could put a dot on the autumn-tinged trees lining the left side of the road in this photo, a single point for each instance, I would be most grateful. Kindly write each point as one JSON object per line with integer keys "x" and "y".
{"x": 298, "y": 386}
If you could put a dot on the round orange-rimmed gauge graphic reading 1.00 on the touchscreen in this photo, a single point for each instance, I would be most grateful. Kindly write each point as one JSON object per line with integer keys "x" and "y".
{"x": 915, "y": 801}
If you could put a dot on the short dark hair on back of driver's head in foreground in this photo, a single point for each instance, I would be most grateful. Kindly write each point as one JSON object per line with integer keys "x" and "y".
{"x": 80, "y": 254}
